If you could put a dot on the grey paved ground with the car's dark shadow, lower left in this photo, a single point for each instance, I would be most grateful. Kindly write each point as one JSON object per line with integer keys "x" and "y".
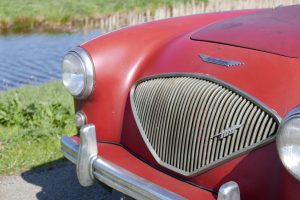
{"x": 57, "y": 182}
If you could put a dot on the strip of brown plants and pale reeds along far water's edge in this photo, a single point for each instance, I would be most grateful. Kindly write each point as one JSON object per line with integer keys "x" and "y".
{"x": 108, "y": 22}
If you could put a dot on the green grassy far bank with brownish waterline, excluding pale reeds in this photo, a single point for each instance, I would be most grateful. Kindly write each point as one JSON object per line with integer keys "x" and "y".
{"x": 55, "y": 15}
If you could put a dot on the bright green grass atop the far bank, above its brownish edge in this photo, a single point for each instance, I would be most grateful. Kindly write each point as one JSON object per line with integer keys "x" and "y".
{"x": 60, "y": 11}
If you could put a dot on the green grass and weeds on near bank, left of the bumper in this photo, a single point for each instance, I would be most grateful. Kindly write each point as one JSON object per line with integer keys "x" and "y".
{"x": 32, "y": 119}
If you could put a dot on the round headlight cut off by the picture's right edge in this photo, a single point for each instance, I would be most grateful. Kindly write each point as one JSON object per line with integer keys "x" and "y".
{"x": 288, "y": 142}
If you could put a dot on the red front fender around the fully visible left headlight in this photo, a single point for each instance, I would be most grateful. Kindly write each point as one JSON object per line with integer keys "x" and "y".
{"x": 121, "y": 57}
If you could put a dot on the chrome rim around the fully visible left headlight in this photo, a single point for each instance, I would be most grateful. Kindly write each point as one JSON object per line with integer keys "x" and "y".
{"x": 88, "y": 70}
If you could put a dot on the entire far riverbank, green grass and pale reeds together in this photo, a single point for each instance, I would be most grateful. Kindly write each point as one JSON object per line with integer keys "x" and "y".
{"x": 69, "y": 16}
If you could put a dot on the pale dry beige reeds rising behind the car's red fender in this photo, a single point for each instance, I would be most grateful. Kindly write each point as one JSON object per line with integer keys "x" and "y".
{"x": 117, "y": 20}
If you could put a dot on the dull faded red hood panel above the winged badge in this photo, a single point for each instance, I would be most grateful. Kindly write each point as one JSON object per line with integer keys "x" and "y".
{"x": 273, "y": 30}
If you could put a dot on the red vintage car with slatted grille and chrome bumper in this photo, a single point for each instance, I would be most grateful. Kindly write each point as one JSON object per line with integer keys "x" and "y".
{"x": 195, "y": 107}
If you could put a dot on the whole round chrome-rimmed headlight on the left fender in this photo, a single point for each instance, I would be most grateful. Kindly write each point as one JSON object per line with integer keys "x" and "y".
{"x": 78, "y": 73}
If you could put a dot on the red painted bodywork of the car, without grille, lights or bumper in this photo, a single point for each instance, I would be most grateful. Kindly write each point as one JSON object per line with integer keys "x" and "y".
{"x": 266, "y": 42}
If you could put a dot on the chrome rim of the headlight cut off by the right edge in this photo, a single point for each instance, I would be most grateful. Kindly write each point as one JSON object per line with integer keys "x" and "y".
{"x": 292, "y": 115}
